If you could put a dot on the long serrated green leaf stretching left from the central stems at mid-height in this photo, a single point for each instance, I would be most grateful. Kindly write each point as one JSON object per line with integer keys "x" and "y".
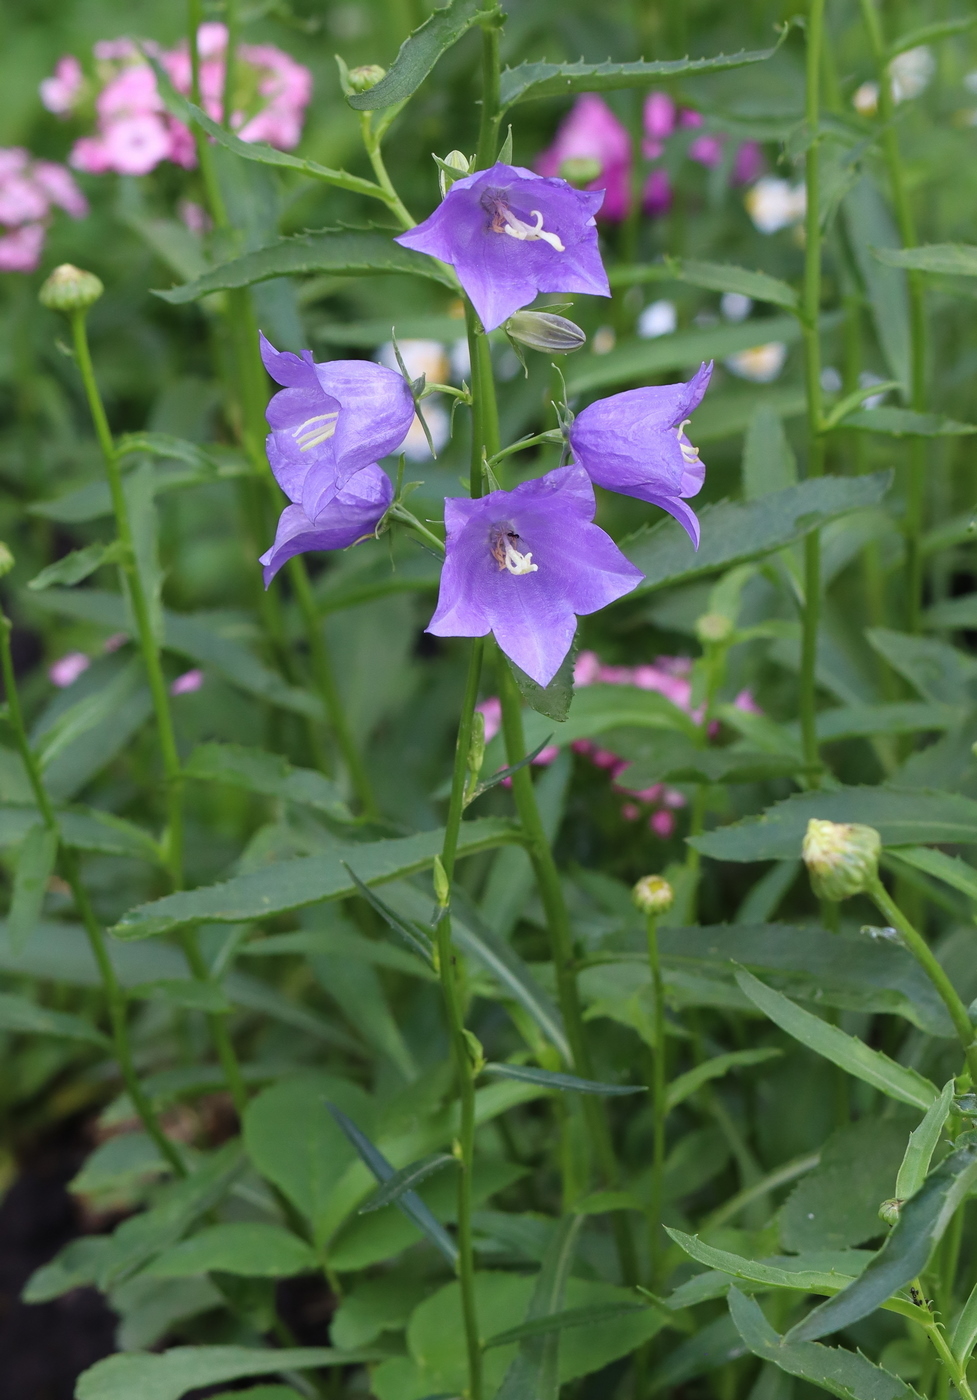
{"x": 307, "y": 880}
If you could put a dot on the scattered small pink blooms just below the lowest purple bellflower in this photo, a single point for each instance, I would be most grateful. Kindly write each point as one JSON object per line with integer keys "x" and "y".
{"x": 670, "y": 677}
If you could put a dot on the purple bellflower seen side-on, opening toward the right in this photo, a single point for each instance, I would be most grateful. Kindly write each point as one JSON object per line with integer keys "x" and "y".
{"x": 636, "y": 443}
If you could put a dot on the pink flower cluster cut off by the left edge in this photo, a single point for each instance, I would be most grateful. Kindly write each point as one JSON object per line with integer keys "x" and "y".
{"x": 29, "y": 192}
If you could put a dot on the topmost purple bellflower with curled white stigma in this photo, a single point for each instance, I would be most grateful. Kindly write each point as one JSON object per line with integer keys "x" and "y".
{"x": 510, "y": 234}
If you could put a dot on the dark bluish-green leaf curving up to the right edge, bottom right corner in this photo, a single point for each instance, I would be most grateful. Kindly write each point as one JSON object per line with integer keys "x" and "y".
{"x": 905, "y": 1254}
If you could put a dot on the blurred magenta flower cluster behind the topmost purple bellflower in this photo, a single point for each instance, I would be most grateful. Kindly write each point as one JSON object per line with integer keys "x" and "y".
{"x": 591, "y": 132}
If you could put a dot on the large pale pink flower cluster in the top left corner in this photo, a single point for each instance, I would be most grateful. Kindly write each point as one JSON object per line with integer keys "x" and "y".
{"x": 134, "y": 132}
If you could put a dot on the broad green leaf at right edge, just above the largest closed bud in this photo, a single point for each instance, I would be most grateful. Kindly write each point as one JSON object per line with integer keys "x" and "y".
{"x": 902, "y": 817}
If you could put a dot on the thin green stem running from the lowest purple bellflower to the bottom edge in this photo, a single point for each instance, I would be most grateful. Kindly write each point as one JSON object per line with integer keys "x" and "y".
{"x": 464, "y": 1067}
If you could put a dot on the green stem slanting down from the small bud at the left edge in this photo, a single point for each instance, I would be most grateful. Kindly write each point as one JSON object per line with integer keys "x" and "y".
{"x": 115, "y": 996}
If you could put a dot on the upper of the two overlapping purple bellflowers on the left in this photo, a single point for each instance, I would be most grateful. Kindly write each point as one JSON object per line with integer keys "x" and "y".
{"x": 330, "y": 422}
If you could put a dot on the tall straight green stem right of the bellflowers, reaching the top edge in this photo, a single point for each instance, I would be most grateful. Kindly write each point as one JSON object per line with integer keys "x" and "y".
{"x": 811, "y": 307}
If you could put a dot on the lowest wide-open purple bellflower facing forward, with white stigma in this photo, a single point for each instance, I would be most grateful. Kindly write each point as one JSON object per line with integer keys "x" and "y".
{"x": 523, "y": 563}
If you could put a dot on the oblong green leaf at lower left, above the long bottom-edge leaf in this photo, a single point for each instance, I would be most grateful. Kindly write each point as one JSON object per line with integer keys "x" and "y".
{"x": 255, "y": 1249}
